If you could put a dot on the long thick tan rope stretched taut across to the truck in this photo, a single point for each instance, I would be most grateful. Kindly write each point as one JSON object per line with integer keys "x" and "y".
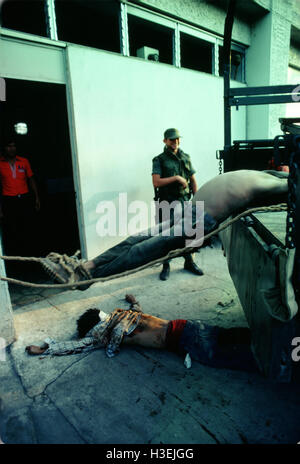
{"x": 172, "y": 254}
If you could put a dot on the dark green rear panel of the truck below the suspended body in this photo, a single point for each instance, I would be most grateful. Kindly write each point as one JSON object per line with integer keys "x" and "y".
{"x": 254, "y": 247}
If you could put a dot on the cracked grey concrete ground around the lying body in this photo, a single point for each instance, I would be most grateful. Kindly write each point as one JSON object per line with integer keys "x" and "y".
{"x": 141, "y": 395}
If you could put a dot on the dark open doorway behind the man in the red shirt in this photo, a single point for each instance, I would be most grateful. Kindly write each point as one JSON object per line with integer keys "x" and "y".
{"x": 42, "y": 106}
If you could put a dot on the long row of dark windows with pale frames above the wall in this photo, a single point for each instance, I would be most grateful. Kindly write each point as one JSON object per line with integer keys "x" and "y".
{"x": 103, "y": 24}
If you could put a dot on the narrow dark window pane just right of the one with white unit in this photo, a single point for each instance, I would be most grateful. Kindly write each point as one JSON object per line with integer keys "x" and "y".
{"x": 196, "y": 53}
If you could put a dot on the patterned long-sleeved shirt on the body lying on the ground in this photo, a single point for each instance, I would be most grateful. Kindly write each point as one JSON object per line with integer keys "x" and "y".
{"x": 108, "y": 333}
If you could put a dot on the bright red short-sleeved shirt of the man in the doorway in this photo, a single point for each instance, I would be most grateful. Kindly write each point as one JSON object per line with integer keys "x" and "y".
{"x": 14, "y": 178}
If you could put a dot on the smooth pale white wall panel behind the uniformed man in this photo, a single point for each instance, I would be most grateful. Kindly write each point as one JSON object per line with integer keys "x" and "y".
{"x": 121, "y": 108}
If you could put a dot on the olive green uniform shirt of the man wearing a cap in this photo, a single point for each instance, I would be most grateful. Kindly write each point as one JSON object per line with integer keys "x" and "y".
{"x": 168, "y": 165}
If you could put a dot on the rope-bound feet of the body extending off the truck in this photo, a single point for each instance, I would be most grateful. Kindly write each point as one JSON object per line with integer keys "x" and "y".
{"x": 66, "y": 269}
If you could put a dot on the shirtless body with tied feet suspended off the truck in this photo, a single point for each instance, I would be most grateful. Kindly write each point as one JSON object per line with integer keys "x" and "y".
{"x": 223, "y": 196}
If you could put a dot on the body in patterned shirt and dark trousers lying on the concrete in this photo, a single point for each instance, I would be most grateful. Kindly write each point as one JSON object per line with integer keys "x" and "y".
{"x": 209, "y": 345}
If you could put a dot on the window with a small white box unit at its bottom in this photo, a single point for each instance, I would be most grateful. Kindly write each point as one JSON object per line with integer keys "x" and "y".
{"x": 143, "y": 33}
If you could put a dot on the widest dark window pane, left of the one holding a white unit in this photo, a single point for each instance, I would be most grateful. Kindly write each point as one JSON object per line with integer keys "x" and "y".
{"x": 90, "y": 23}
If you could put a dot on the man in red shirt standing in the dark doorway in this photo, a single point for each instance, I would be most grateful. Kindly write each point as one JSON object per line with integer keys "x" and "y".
{"x": 17, "y": 210}
